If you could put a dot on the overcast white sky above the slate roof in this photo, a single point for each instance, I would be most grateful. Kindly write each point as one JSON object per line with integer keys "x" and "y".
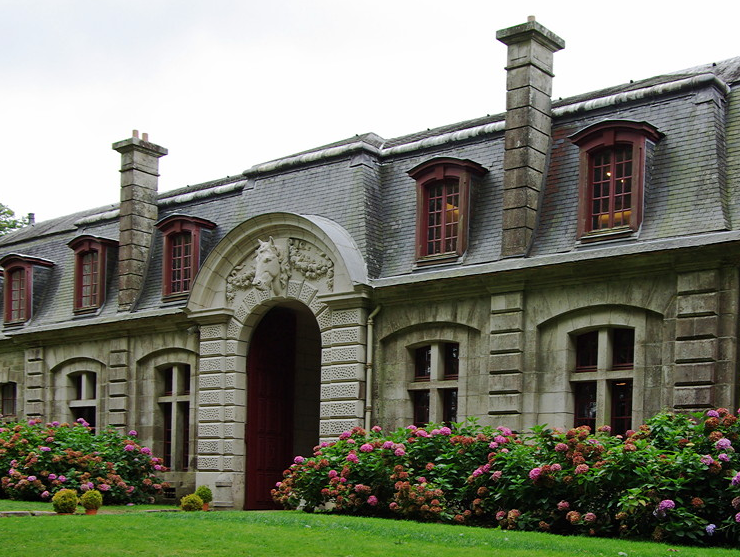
{"x": 227, "y": 84}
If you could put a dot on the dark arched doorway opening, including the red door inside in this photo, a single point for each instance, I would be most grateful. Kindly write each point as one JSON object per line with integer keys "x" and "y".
{"x": 283, "y": 388}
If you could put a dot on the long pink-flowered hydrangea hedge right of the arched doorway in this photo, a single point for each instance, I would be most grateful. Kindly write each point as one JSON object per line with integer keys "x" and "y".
{"x": 676, "y": 478}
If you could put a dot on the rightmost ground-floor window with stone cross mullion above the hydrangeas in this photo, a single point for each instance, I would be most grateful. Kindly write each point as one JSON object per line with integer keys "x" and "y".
{"x": 604, "y": 363}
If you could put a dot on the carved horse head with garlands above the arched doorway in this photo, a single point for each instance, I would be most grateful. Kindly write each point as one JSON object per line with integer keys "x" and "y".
{"x": 271, "y": 266}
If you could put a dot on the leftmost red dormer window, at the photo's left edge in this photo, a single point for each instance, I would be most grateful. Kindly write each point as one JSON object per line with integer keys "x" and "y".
{"x": 18, "y": 273}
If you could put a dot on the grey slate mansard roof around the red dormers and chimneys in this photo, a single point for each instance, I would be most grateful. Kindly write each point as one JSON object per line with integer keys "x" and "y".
{"x": 361, "y": 183}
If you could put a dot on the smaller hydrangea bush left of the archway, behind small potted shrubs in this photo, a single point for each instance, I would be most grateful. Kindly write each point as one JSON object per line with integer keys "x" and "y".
{"x": 38, "y": 459}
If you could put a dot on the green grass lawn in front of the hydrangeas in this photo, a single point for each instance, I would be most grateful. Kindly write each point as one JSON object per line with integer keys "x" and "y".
{"x": 286, "y": 533}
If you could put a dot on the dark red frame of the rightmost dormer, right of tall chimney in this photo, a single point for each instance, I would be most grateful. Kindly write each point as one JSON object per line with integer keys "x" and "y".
{"x": 597, "y": 138}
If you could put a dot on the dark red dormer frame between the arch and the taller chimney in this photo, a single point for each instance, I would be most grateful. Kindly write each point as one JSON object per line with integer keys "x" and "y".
{"x": 432, "y": 172}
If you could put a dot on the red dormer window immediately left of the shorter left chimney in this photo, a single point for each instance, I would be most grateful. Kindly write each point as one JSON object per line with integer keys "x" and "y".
{"x": 90, "y": 272}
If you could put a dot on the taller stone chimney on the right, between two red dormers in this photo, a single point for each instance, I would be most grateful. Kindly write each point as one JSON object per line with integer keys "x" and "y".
{"x": 527, "y": 137}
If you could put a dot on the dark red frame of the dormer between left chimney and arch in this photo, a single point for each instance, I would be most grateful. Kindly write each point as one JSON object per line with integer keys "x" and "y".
{"x": 170, "y": 227}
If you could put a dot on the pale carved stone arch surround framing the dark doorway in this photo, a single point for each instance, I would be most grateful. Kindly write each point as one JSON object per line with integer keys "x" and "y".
{"x": 304, "y": 264}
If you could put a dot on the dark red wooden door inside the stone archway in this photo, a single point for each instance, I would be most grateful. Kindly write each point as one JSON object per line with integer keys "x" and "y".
{"x": 270, "y": 371}
